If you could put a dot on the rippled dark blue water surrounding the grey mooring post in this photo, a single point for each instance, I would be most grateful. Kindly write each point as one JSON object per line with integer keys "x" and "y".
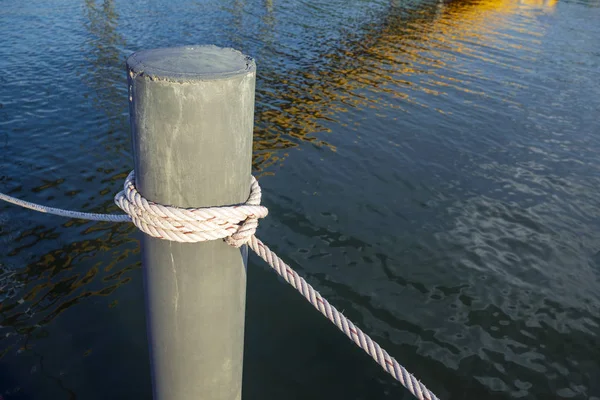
{"x": 431, "y": 167}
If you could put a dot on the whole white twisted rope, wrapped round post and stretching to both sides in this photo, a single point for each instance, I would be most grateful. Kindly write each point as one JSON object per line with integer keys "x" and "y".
{"x": 236, "y": 225}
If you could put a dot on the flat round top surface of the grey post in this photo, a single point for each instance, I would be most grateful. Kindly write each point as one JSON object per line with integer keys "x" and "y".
{"x": 190, "y": 63}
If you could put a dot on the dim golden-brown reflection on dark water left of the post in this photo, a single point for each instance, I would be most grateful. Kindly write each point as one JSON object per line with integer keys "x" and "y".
{"x": 63, "y": 277}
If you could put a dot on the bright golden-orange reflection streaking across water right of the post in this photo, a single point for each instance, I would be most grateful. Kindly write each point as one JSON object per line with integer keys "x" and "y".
{"x": 404, "y": 56}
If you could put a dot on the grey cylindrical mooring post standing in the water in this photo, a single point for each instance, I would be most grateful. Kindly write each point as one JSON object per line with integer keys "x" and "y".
{"x": 192, "y": 111}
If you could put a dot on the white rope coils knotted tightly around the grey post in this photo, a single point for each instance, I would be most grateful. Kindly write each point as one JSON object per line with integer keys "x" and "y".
{"x": 236, "y": 224}
